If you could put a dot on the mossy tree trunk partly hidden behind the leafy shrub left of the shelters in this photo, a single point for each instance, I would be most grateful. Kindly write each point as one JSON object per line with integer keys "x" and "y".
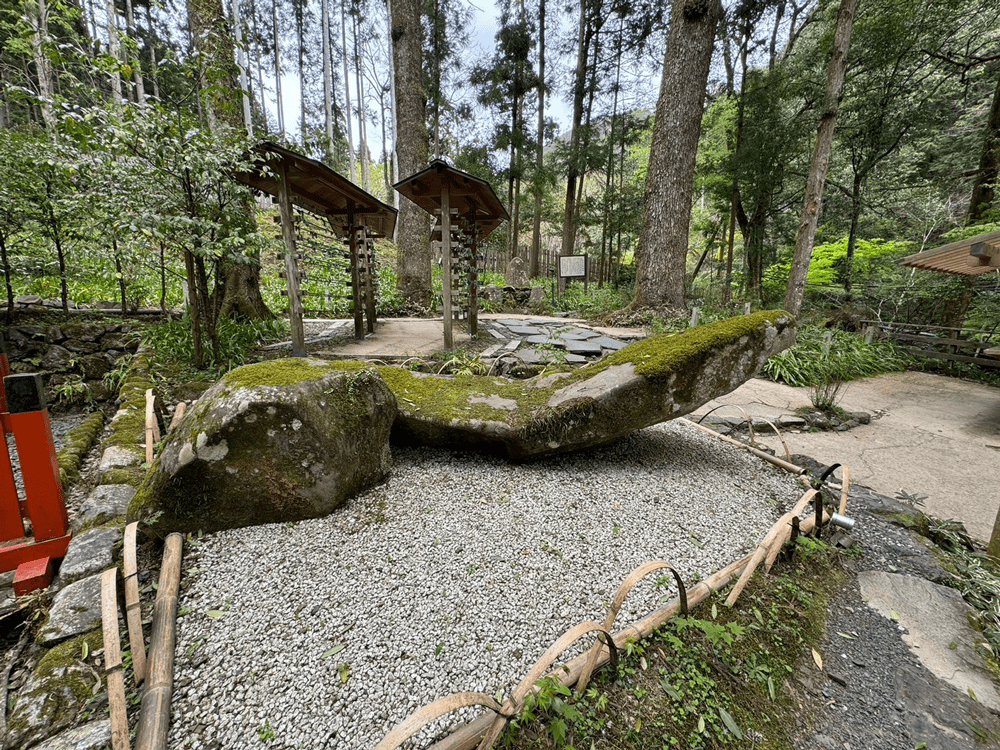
{"x": 241, "y": 295}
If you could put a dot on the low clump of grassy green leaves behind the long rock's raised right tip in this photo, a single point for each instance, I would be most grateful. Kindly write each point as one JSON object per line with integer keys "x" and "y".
{"x": 824, "y": 355}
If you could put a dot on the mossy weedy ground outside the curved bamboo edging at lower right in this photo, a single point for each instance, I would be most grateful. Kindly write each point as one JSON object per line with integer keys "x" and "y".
{"x": 715, "y": 678}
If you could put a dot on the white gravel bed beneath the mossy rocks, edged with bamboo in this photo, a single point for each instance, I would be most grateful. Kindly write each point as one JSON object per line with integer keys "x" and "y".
{"x": 455, "y": 575}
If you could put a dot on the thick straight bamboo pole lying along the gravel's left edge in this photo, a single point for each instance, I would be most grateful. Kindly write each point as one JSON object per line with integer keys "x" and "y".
{"x": 154, "y": 714}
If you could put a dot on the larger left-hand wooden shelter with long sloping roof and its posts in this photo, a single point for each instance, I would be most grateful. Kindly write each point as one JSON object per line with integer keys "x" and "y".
{"x": 352, "y": 213}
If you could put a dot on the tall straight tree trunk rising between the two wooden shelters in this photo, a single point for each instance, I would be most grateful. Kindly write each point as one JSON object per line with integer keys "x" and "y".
{"x": 413, "y": 262}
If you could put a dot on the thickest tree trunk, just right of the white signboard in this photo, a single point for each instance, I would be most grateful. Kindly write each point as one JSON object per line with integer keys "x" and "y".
{"x": 663, "y": 243}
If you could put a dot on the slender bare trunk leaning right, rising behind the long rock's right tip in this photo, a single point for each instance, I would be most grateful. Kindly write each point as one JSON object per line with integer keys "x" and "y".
{"x": 821, "y": 160}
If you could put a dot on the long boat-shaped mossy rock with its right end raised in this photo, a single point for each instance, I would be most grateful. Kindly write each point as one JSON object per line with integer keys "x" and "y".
{"x": 651, "y": 381}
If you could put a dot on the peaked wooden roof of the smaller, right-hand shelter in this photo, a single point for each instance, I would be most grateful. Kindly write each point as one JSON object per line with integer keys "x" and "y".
{"x": 468, "y": 194}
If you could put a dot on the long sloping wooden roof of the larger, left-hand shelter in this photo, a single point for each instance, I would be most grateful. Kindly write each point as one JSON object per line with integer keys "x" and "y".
{"x": 317, "y": 188}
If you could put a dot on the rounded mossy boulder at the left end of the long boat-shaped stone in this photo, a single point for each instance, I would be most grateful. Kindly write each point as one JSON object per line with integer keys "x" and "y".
{"x": 276, "y": 441}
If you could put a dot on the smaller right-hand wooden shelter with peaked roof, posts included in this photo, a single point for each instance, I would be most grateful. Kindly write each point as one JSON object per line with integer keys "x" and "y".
{"x": 467, "y": 211}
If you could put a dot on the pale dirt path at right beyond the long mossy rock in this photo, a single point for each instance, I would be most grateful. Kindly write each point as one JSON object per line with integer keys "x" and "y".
{"x": 930, "y": 435}
